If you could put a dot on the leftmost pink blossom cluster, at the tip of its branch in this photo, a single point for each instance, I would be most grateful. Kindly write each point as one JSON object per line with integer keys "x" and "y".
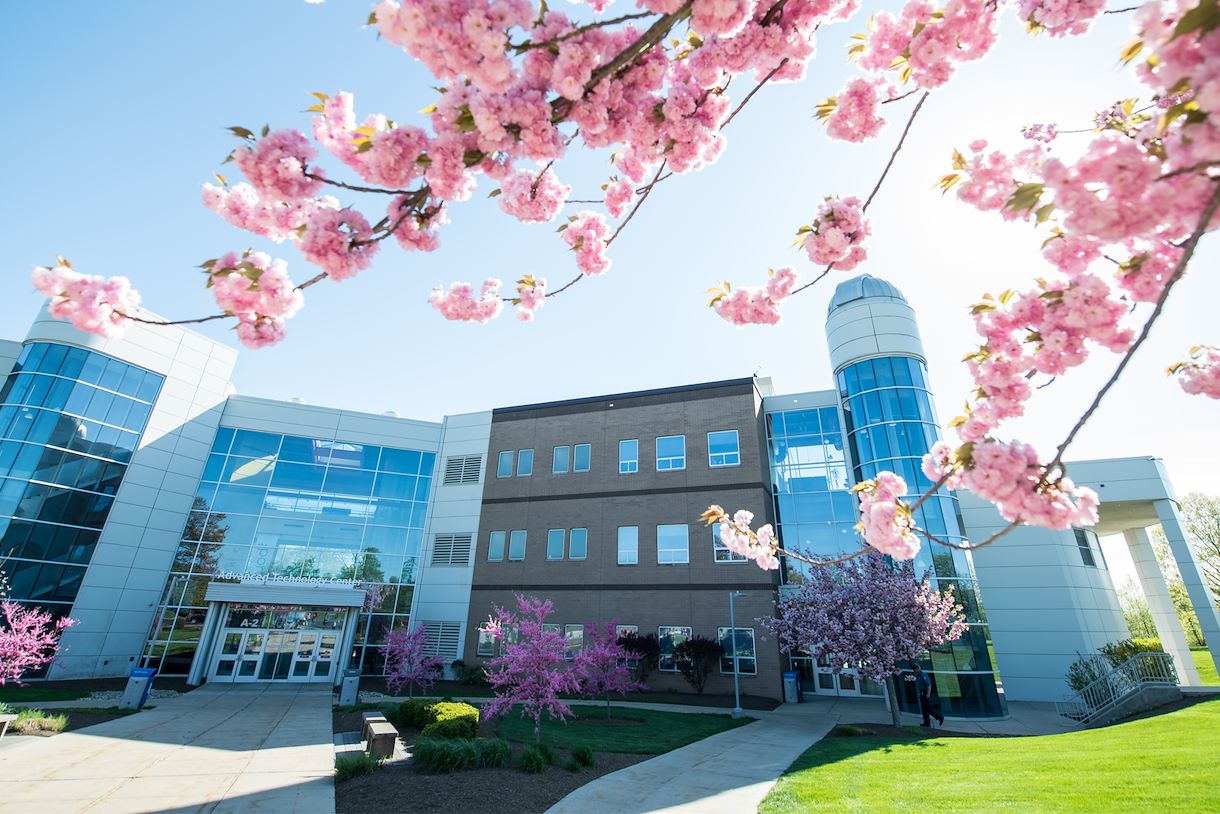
{"x": 91, "y": 303}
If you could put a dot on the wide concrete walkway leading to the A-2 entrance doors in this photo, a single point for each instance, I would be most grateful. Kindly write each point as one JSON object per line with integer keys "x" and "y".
{"x": 218, "y": 750}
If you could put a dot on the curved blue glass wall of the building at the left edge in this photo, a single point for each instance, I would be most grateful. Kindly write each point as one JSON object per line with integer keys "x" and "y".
{"x": 70, "y": 422}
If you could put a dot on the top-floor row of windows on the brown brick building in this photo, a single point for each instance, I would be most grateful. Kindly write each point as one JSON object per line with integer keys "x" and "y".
{"x": 724, "y": 450}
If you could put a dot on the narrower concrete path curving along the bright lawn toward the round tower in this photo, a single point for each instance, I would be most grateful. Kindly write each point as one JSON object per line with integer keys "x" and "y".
{"x": 731, "y": 773}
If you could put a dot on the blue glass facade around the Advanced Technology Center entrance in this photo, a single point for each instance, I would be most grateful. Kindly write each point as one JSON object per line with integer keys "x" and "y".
{"x": 289, "y": 506}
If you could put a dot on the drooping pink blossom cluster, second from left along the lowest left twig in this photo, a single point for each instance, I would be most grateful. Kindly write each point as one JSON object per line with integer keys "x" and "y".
{"x": 258, "y": 291}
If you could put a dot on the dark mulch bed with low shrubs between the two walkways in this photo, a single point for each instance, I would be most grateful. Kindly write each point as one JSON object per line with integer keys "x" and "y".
{"x": 400, "y": 788}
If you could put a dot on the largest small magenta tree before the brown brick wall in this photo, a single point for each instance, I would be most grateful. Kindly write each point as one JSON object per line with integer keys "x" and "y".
{"x": 531, "y": 671}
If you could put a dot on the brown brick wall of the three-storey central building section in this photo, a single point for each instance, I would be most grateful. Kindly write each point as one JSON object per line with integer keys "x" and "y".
{"x": 647, "y": 595}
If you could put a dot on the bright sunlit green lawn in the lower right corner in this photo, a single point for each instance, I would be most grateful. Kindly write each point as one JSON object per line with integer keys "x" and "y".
{"x": 1167, "y": 763}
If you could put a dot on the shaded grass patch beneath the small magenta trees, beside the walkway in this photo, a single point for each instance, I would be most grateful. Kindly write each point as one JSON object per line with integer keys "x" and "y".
{"x": 658, "y": 733}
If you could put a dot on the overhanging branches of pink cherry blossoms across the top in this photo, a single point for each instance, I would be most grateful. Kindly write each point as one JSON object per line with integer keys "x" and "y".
{"x": 1119, "y": 212}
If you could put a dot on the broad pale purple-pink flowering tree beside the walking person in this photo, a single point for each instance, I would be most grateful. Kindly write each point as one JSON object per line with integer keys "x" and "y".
{"x": 868, "y": 614}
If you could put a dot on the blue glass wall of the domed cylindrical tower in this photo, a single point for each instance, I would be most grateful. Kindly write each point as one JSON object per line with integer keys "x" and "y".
{"x": 890, "y": 423}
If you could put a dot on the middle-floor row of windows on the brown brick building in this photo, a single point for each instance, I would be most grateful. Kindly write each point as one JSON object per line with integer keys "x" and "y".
{"x": 673, "y": 545}
